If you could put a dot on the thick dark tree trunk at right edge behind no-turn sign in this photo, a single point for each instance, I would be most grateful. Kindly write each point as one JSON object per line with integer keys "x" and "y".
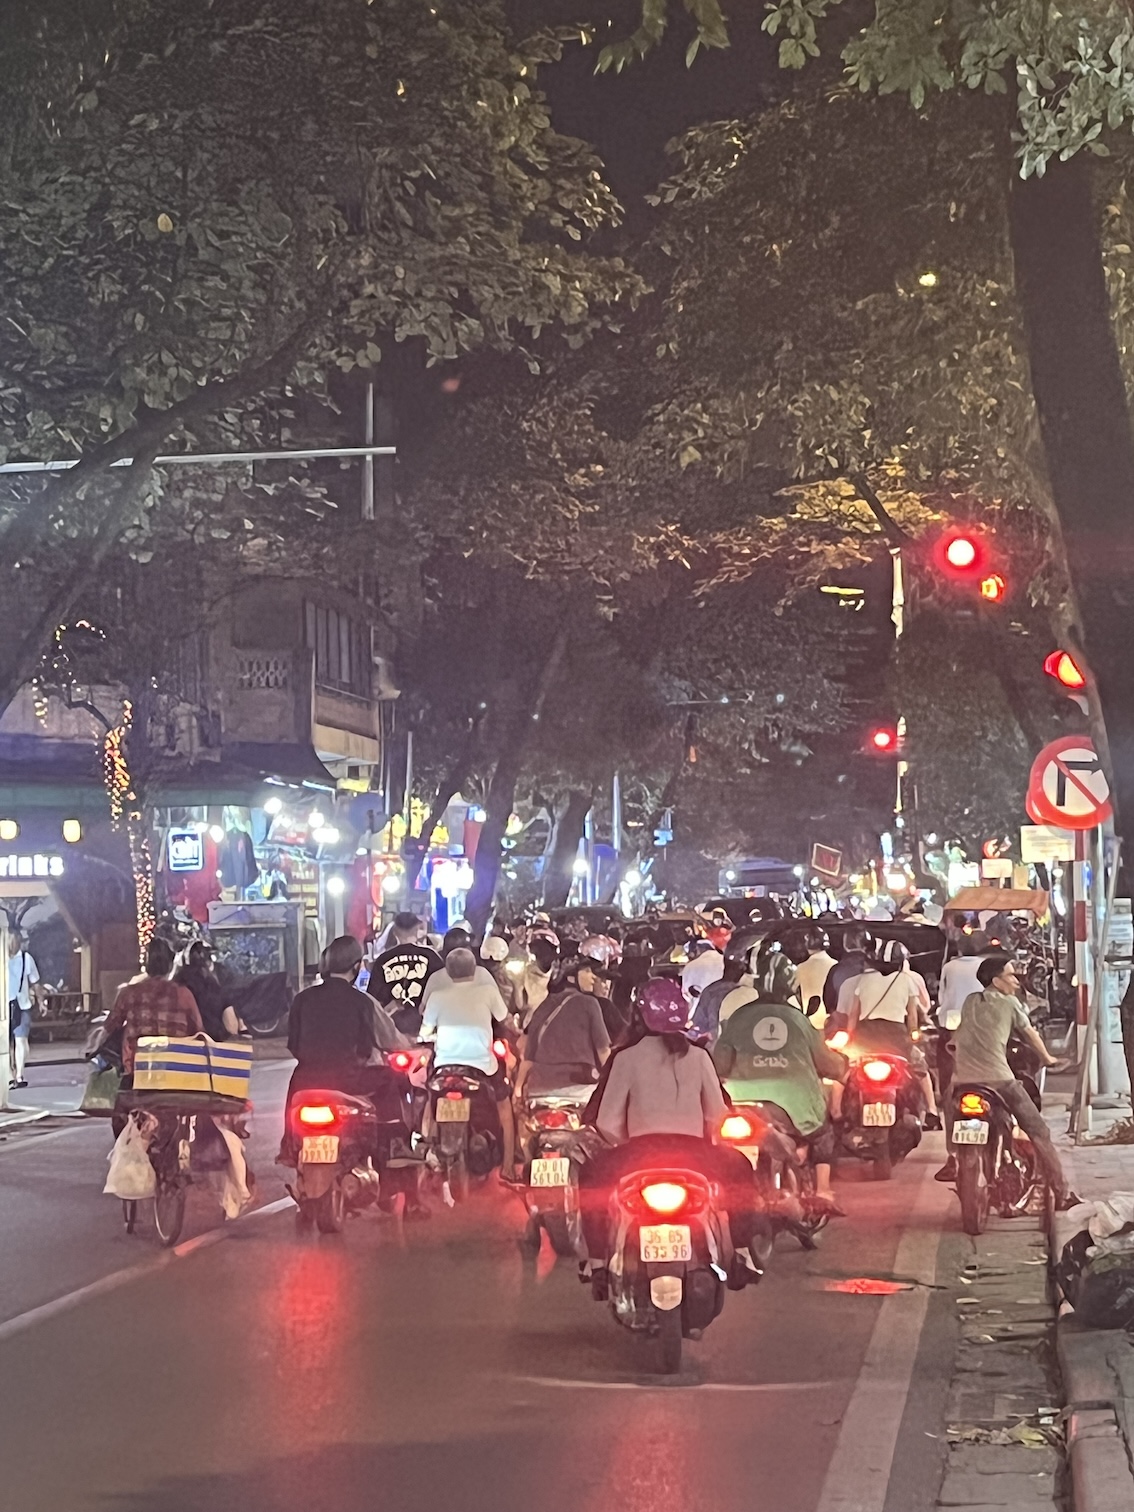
{"x": 1085, "y": 424}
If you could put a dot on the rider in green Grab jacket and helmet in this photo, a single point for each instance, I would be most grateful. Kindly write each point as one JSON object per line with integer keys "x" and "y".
{"x": 769, "y": 1052}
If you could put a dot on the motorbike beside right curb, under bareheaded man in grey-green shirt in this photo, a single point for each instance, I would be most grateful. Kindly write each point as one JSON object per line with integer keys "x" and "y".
{"x": 997, "y": 1165}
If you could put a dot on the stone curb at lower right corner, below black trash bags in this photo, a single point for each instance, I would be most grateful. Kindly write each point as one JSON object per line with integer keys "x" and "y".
{"x": 1098, "y": 1411}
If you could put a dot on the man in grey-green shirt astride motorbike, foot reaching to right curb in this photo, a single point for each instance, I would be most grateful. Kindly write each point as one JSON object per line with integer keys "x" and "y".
{"x": 988, "y": 1021}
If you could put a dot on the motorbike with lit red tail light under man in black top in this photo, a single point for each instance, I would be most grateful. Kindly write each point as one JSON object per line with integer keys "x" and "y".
{"x": 335, "y": 1136}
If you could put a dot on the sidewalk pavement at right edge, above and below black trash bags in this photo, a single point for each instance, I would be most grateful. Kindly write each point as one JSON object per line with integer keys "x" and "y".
{"x": 1097, "y": 1365}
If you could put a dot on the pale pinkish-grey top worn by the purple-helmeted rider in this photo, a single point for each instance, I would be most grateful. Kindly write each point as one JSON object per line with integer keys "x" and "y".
{"x": 654, "y": 1092}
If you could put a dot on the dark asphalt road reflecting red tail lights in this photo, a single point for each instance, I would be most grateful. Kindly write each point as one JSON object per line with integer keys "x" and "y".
{"x": 418, "y": 1369}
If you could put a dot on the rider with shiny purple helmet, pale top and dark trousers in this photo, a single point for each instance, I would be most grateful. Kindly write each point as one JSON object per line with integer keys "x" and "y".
{"x": 660, "y": 1100}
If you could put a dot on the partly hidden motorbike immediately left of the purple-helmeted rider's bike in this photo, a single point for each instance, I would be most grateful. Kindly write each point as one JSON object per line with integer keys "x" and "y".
{"x": 550, "y": 1136}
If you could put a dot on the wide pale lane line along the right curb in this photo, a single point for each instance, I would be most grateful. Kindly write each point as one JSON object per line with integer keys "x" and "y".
{"x": 860, "y": 1472}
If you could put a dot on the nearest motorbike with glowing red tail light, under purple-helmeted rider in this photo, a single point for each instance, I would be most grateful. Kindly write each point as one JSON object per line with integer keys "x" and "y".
{"x": 669, "y": 1257}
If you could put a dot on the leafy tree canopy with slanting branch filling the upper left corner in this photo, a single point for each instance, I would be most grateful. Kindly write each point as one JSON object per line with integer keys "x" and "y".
{"x": 208, "y": 205}
